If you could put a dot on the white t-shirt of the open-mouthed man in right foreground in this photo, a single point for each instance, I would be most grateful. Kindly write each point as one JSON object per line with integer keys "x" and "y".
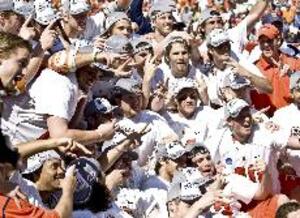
{"x": 263, "y": 144}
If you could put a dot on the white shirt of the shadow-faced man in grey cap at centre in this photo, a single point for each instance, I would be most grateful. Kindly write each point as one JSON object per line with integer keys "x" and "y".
{"x": 159, "y": 130}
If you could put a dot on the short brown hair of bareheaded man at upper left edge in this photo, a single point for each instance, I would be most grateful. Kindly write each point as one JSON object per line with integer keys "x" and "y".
{"x": 9, "y": 42}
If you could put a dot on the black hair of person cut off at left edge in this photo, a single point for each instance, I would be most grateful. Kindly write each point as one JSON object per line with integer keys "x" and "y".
{"x": 8, "y": 155}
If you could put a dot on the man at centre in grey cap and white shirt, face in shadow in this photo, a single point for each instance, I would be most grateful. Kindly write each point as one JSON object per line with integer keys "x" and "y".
{"x": 128, "y": 95}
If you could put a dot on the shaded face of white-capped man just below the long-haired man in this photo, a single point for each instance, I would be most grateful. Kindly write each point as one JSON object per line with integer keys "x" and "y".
{"x": 187, "y": 102}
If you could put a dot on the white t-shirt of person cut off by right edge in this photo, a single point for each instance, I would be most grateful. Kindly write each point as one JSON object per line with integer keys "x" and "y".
{"x": 288, "y": 117}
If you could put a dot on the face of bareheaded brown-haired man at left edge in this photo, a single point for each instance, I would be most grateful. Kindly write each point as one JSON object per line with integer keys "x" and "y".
{"x": 11, "y": 69}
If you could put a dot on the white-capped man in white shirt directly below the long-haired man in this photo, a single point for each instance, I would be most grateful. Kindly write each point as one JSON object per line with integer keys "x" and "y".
{"x": 190, "y": 119}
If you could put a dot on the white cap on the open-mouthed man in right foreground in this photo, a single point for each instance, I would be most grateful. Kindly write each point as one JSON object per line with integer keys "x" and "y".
{"x": 234, "y": 107}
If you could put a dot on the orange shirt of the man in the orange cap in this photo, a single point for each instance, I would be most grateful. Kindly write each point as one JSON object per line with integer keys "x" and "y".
{"x": 281, "y": 92}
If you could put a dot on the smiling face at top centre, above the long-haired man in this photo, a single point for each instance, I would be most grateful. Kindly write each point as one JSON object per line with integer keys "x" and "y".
{"x": 163, "y": 23}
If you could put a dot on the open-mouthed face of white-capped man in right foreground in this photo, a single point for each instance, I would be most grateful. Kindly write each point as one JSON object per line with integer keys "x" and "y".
{"x": 242, "y": 125}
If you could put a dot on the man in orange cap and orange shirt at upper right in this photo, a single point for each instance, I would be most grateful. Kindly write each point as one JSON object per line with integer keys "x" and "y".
{"x": 276, "y": 66}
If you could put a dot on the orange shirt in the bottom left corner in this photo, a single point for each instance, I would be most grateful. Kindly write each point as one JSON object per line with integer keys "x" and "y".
{"x": 9, "y": 209}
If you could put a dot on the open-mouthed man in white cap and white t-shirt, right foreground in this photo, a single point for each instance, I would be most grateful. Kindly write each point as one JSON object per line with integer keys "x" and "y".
{"x": 249, "y": 150}
